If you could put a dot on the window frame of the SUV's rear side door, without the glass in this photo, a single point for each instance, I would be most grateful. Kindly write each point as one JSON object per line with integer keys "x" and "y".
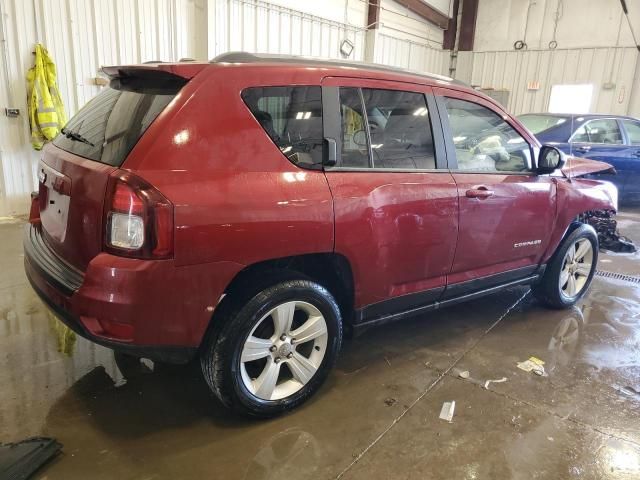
{"x": 332, "y": 122}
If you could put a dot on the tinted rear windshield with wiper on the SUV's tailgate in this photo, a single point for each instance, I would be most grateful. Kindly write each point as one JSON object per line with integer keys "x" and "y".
{"x": 109, "y": 126}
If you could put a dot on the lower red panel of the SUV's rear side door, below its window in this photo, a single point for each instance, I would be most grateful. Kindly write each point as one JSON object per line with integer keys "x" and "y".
{"x": 397, "y": 229}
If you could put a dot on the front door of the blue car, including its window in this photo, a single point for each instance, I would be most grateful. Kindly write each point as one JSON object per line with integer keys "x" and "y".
{"x": 601, "y": 139}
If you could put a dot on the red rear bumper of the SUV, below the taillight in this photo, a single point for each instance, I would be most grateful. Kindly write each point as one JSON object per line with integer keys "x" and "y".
{"x": 147, "y": 308}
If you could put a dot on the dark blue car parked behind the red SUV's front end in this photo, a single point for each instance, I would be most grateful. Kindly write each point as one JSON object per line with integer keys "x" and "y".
{"x": 608, "y": 138}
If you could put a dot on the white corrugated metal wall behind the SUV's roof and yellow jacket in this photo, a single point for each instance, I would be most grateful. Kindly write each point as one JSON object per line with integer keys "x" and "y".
{"x": 84, "y": 35}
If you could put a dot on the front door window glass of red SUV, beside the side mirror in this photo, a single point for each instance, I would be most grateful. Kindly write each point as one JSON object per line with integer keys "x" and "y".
{"x": 483, "y": 141}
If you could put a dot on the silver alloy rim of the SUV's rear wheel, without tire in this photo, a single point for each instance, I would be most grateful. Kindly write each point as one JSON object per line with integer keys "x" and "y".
{"x": 284, "y": 350}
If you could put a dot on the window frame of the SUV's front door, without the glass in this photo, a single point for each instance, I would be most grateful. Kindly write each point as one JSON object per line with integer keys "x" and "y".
{"x": 441, "y": 95}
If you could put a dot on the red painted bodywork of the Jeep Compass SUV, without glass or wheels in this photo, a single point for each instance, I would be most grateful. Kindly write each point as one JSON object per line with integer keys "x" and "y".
{"x": 238, "y": 201}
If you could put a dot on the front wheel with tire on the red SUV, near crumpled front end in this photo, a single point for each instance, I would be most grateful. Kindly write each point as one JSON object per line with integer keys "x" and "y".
{"x": 570, "y": 271}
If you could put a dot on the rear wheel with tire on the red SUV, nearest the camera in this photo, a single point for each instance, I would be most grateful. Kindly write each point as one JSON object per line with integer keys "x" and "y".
{"x": 273, "y": 352}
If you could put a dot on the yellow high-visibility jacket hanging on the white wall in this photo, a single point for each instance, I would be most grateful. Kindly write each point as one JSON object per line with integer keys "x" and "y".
{"x": 46, "y": 111}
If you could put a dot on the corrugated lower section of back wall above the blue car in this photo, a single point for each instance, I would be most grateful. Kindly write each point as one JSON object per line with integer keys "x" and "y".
{"x": 512, "y": 70}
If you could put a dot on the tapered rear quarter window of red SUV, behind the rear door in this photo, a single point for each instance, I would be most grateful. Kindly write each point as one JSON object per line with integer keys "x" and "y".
{"x": 292, "y": 117}
